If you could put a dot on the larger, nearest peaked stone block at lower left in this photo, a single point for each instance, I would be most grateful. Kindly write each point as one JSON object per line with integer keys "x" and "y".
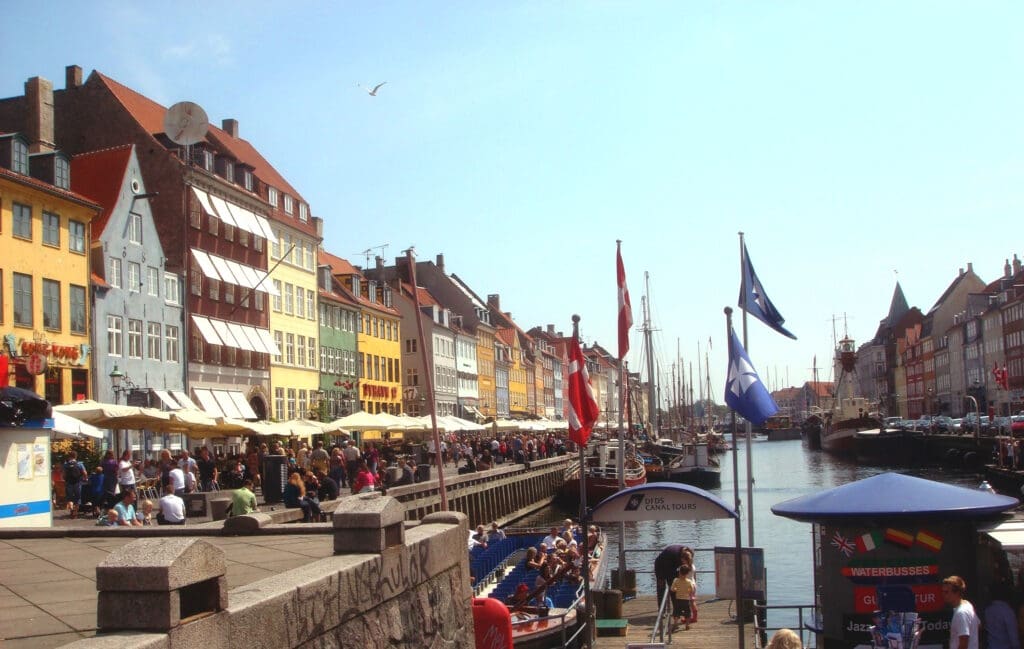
{"x": 157, "y": 585}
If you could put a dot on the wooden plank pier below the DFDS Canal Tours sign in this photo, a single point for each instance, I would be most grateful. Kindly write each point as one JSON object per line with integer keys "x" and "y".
{"x": 716, "y": 629}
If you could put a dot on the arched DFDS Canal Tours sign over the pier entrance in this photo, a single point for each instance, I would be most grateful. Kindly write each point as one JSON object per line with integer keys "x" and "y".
{"x": 661, "y": 501}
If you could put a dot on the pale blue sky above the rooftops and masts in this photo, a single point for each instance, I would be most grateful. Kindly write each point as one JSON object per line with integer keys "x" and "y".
{"x": 854, "y": 144}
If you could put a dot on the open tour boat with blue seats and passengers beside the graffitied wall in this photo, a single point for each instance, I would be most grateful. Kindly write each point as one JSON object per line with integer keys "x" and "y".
{"x": 503, "y": 570}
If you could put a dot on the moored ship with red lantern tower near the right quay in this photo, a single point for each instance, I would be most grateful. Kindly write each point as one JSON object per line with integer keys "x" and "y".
{"x": 850, "y": 413}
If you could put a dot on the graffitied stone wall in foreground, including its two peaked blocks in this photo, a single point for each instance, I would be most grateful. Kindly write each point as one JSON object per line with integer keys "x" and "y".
{"x": 413, "y": 592}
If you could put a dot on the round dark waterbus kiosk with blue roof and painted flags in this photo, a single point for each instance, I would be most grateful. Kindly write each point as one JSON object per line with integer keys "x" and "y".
{"x": 885, "y": 544}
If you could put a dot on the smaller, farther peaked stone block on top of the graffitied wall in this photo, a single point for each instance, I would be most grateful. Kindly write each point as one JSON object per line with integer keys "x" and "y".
{"x": 369, "y": 525}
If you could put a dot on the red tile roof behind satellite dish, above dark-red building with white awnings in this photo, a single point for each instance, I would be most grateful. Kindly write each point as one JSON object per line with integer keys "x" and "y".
{"x": 151, "y": 116}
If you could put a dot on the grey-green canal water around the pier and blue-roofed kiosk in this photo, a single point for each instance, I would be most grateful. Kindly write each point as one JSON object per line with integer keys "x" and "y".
{"x": 782, "y": 470}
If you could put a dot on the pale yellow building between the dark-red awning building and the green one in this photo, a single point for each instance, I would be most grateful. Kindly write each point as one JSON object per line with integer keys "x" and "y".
{"x": 295, "y": 374}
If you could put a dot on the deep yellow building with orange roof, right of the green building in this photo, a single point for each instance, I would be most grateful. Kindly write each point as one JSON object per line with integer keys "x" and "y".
{"x": 378, "y": 340}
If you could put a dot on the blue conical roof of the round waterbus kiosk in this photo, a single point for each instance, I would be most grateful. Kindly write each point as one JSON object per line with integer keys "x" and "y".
{"x": 895, "y": 495}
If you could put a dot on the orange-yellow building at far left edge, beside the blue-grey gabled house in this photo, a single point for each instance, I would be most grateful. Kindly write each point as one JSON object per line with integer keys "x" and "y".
{"x": 45, "y": 275}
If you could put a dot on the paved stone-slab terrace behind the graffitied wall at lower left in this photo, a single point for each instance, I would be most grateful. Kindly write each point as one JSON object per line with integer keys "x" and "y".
{"x": 49, "y": 586}
